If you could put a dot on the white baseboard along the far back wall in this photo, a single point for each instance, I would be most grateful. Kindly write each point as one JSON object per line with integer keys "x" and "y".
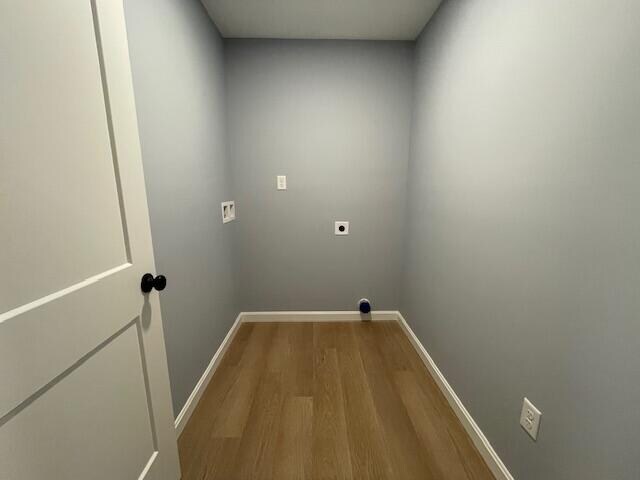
{"x": 327, "y": 316}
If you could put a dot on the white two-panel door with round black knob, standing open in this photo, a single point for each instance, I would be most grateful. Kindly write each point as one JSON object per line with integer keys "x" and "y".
{"x": 84, "y": 388}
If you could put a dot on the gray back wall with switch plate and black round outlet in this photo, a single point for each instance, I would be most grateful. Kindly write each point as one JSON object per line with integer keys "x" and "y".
{"x": 335, "y": 118}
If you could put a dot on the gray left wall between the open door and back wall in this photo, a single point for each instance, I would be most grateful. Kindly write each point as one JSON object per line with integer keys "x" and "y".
{"x": 177, "y": 61}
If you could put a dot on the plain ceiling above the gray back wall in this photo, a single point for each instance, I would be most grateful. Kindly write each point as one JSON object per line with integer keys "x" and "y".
{"x": 321, "y": 19}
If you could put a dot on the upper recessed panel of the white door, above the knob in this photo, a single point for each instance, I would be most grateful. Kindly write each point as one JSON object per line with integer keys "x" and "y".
{"x": 57, "y": 141}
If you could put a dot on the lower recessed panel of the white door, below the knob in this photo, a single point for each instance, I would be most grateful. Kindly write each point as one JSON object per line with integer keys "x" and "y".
{"x": 101, "y": 401}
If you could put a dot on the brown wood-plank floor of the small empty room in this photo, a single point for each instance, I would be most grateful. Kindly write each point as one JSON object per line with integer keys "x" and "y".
{"x": 325, "y": 401}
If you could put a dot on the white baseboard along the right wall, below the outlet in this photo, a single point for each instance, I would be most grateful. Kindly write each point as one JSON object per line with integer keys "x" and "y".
{"x": 495, "y": 464}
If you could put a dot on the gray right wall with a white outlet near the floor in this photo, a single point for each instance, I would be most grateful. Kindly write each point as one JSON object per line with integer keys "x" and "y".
{"x": 523, "y": 258}
